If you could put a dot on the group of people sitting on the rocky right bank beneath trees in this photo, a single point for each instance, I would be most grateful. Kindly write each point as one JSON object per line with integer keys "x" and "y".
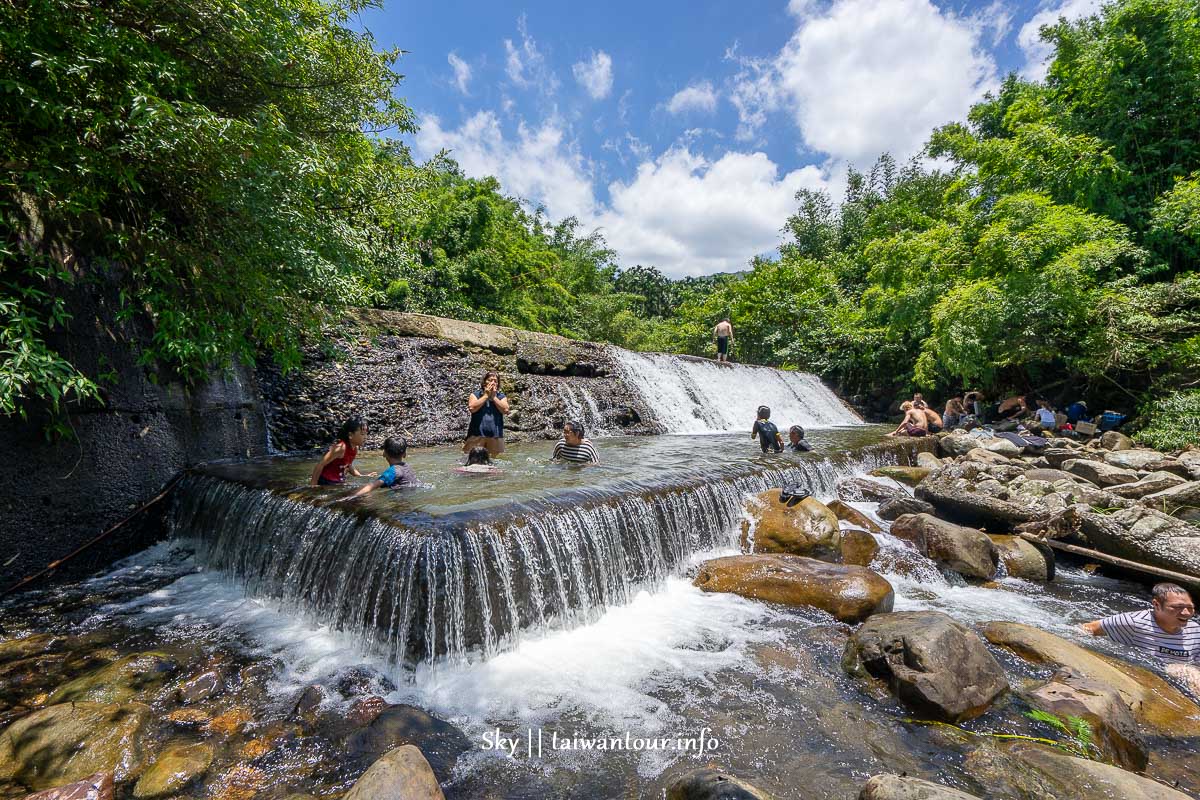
{"x": 1016, "y": 413}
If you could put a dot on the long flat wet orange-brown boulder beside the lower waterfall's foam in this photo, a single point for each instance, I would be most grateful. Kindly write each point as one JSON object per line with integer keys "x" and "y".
{"x": 850, "y": 593}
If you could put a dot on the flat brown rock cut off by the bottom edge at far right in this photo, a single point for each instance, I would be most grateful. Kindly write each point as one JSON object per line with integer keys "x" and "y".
{"x": 1034, "y": 771}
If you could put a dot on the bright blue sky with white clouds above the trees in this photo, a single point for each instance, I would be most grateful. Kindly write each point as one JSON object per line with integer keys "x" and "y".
{"x": 683, "y": 130}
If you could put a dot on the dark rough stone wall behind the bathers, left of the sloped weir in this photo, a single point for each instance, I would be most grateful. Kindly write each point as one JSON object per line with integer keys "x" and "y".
{"x": 412, "y": 375}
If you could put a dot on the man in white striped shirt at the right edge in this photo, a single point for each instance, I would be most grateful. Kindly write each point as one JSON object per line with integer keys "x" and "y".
{"x": 1167, "y": 631}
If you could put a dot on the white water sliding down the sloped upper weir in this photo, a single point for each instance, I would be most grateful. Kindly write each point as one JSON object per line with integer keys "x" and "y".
{"x": 698, "y": 396}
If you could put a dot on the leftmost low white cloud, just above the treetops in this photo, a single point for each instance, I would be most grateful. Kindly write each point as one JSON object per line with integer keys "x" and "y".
{"x": 541, "y": 166}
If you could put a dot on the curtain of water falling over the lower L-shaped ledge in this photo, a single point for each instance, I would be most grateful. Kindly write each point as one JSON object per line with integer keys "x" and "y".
{"x": 424, "y": 588}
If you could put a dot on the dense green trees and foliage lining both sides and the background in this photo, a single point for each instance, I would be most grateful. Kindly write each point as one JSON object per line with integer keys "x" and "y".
{"x": 220, "y": 164}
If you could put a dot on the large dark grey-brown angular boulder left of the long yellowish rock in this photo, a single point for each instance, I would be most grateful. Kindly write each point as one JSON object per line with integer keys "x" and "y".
{"x": 933, "y": 664}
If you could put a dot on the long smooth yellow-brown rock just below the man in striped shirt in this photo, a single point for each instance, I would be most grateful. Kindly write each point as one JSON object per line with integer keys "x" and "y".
{"x": 1154, "y": 702}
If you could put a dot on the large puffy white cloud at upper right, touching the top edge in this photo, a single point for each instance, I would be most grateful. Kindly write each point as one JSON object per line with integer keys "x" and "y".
{"x": 873, "y": 76}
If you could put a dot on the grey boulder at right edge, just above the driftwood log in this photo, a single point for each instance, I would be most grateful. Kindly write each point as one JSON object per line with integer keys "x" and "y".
{"x": 1147, "y": 537}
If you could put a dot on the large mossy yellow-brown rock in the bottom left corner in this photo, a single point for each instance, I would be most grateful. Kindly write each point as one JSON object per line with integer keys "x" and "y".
{"x": 73, "y": 742}
